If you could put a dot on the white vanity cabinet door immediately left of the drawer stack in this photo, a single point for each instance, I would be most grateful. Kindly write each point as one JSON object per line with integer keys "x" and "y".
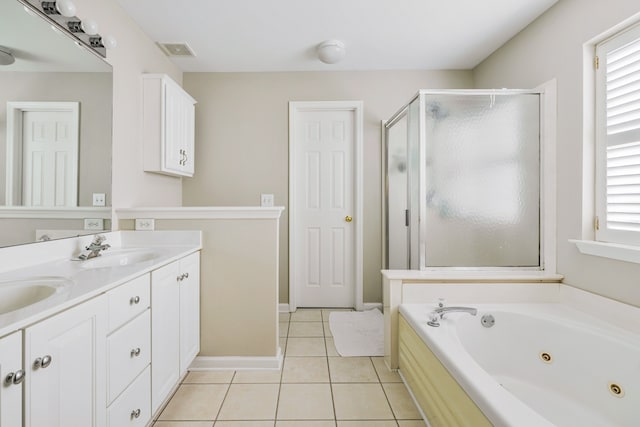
{"x": 65, "y": 362}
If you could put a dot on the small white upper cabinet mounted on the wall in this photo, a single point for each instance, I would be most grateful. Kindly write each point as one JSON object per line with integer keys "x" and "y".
{"x": 168, "y": 122}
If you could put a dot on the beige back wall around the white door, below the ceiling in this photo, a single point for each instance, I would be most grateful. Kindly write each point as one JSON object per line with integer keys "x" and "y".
{"x": 242, "y": 140}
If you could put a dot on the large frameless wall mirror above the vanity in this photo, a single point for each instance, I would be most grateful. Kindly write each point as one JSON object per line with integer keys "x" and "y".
{"x": 50, "y": 70}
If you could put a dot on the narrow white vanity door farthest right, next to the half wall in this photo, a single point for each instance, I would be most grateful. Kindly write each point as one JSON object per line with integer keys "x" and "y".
{"x": 189, "y": 310}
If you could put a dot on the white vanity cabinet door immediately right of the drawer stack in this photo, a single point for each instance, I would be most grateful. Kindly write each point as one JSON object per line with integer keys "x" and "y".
{"x": 165, "y": 333}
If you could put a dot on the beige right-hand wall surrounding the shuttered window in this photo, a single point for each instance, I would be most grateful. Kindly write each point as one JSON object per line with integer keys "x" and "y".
{"x": 552, "y": 47}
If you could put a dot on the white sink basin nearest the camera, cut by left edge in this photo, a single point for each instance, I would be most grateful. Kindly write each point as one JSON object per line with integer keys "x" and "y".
{"x": 18, "y": 294}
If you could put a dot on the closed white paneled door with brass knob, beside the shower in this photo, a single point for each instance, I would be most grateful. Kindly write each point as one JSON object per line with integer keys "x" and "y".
{"x": 325, "y": 211}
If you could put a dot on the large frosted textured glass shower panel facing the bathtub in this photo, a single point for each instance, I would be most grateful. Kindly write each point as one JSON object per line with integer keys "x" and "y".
{"x": 482, "y": 180}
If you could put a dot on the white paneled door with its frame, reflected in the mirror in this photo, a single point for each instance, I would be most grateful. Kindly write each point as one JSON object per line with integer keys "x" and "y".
{"x": 44, "y": 139}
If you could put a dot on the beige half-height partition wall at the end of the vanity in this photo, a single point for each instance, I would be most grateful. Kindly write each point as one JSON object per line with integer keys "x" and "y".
{"x": 238, "y": 284}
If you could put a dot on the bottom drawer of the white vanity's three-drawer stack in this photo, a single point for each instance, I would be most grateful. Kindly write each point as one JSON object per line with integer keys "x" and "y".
{"x": 133, "y": 407}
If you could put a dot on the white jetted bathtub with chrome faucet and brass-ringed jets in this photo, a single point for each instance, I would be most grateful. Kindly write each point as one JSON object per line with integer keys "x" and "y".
{"x": 539, "y": 365}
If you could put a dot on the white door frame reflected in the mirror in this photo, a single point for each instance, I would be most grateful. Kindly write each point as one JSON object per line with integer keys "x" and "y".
{"x": 14, "y": 160}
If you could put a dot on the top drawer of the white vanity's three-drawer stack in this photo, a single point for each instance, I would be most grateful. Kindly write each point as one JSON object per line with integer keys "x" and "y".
{"x": 127, "y": 301}
